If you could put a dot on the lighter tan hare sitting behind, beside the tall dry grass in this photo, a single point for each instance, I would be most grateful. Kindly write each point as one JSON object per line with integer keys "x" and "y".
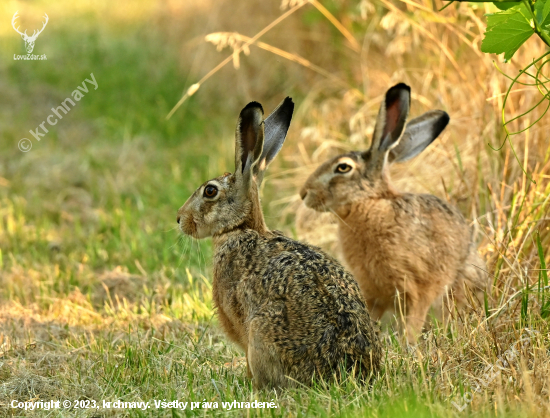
{"x": 412, "y": 245}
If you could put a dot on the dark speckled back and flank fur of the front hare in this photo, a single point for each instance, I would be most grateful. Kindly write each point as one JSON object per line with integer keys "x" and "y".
{"x": 300, "y": 302}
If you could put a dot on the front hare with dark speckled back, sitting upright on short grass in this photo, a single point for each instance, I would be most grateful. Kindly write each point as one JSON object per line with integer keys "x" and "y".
{"x": 294, "y": 310}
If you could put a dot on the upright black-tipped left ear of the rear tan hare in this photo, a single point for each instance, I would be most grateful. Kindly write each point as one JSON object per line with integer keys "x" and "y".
{"x": 390, "y": 123}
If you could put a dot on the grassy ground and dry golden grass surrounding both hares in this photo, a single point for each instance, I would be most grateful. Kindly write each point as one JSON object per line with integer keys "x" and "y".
{"x": 100, "y": 299}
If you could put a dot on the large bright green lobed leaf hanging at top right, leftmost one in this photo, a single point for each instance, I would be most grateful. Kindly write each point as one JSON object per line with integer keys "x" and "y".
{"x": 507, "y": 31}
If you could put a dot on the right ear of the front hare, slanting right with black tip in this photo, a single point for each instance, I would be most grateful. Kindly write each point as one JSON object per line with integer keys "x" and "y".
{"x": 276, "y": 128}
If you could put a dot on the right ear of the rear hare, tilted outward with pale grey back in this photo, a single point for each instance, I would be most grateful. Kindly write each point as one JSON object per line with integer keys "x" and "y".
{"x": 419, "y": 133}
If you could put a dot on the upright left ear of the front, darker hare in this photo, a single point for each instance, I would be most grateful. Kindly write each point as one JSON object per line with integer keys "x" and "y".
{"x": 249, "y": 141}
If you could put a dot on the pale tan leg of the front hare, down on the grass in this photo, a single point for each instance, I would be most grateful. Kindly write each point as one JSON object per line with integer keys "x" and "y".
{"x": 264, "y": 360}
